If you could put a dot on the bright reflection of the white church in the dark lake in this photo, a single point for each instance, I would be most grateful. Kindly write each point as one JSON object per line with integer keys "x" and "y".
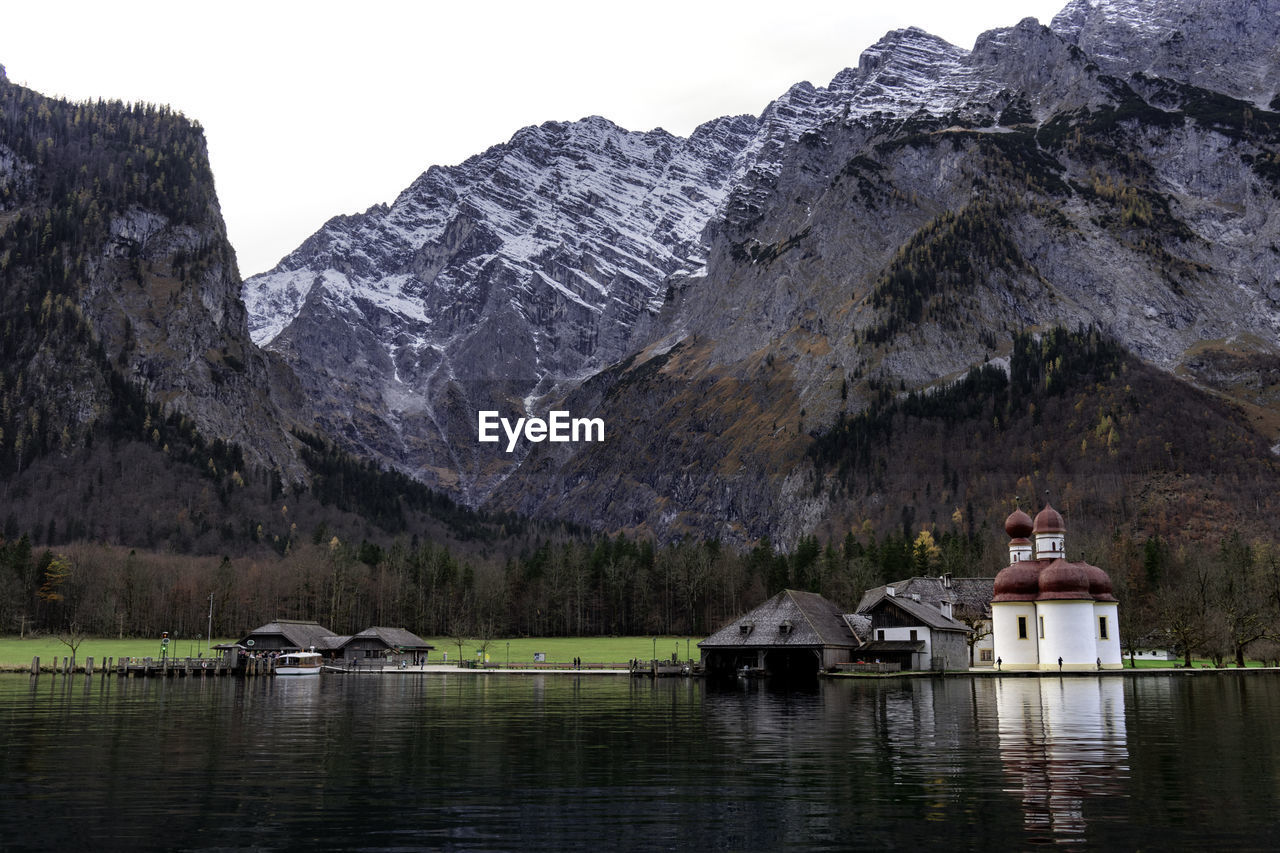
{"x": 1063, "y": 742}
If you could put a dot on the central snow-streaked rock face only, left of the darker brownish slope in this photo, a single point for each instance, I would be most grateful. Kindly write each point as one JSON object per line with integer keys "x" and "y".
{"x": 487, "y": 284}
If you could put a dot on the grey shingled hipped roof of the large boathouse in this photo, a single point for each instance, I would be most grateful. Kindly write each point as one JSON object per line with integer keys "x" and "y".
{"x": 792, "y": 619}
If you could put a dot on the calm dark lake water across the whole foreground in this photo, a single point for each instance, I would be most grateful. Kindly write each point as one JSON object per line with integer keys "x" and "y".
{"x": 554, "y": 763}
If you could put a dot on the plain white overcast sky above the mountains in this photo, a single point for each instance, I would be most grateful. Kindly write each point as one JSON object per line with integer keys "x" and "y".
{"x": 322, "y": 108}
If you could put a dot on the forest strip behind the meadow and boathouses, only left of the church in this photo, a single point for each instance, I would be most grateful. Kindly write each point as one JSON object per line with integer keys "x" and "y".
{"x": 601, "y": 586}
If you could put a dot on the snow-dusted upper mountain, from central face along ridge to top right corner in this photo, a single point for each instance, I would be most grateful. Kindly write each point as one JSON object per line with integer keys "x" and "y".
{"x": 533, "y": 264}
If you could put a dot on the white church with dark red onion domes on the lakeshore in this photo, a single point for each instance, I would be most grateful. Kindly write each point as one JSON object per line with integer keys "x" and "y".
{"x": 1048, "y": 613}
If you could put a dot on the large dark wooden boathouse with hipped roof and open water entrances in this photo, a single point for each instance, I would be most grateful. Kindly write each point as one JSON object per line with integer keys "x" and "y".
{"x": 794, "y": 633}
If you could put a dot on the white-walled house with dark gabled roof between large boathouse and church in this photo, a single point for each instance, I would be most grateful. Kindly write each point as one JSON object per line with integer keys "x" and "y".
{"x": 913, "y": 635}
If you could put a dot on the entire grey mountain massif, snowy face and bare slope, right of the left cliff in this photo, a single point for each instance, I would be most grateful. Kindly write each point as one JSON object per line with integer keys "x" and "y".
{"x": 723, "y": 300}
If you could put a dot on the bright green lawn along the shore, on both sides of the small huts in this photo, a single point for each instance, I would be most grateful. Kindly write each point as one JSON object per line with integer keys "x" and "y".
{"x": 17, "y": 654}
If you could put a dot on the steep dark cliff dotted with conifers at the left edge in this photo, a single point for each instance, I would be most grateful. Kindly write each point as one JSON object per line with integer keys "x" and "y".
{"x": 117, "y": 271}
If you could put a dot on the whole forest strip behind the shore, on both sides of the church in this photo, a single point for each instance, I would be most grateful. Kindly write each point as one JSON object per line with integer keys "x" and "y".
{"x": 1214, "y": 600}
